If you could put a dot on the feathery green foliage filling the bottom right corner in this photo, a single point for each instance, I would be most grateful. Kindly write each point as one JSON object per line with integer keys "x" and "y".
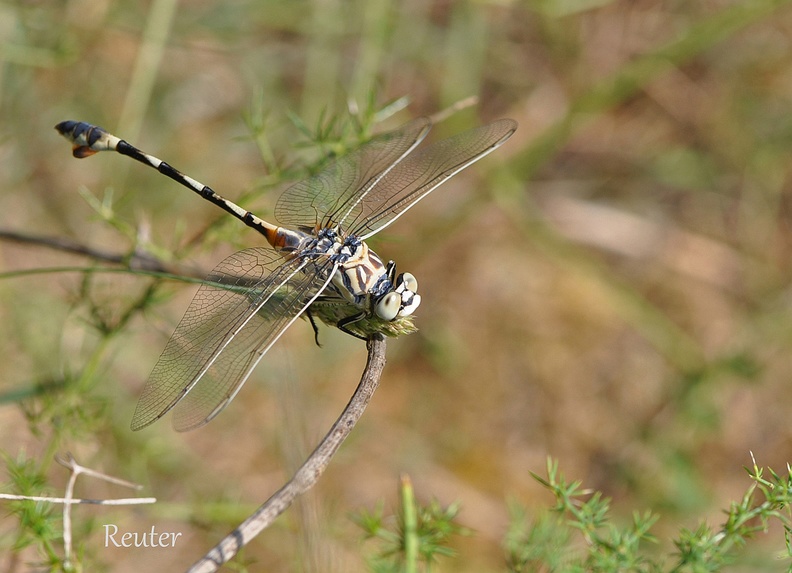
{"x": 581, "y": 534}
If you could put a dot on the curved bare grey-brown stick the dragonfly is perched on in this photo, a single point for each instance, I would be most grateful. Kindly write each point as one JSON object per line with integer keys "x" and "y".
{"x": 309, "y": 473}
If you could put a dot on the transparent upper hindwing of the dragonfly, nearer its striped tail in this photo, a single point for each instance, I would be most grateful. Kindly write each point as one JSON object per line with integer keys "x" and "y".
{"x": 329, "y": 194}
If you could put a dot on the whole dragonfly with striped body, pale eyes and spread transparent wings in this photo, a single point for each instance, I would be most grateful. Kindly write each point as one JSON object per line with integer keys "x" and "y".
{"x": 317, "y": 264}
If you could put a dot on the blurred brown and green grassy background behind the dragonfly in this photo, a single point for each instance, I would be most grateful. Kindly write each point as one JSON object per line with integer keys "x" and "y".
{"x": 610, "y": 288}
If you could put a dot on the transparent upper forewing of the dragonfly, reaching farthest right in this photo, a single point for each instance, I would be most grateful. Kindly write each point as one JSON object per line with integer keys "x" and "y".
{"x": 419, "y": 174}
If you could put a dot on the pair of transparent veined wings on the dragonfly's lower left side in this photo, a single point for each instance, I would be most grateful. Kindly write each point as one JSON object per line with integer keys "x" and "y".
{"x": 250, "y": 299}
